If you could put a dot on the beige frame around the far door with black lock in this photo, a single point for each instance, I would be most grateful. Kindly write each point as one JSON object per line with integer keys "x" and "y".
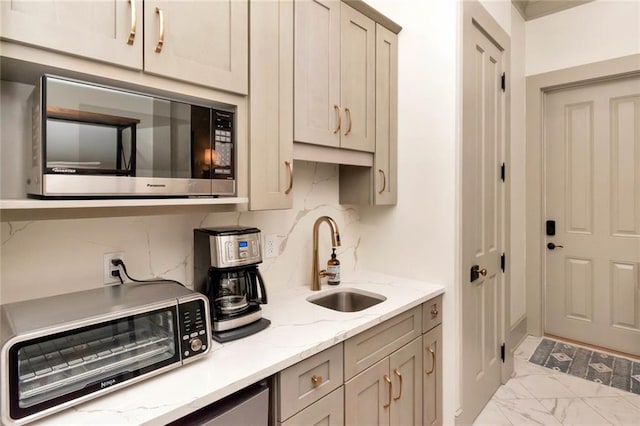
{"x": 537, "y": 87}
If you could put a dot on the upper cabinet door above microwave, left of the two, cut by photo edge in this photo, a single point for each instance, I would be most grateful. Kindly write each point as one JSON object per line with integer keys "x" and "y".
{"x": 109, "y": 31}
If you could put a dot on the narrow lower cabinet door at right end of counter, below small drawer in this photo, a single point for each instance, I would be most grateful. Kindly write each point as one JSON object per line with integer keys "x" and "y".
{"x": 432, "y": 376}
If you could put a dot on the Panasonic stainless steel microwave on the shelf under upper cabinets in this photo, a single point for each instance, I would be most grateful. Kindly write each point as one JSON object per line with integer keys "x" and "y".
{"x": 93, "y": 141}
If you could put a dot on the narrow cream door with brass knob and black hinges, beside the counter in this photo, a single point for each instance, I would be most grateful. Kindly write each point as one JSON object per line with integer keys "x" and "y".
{"x": 482, "y": 221}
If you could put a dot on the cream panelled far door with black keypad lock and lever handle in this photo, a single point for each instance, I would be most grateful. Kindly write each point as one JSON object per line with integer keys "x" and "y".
{"x": 592, "y": 154}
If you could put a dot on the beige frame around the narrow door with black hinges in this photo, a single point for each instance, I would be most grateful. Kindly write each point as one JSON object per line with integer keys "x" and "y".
{"x": 475, "y": 15}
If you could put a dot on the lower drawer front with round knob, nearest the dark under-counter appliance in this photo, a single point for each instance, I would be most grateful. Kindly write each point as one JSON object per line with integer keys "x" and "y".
{"x": 307, "y": 381}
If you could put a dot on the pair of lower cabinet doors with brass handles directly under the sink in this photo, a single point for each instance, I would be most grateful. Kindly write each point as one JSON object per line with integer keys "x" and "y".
{"x": 389, "y": 392}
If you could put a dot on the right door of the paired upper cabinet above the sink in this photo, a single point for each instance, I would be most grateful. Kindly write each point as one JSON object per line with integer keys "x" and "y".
{"x": 357, "y": 80}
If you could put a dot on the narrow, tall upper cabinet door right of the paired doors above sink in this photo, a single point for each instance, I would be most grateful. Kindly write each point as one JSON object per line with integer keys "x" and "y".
{"x": 385, "y": 185}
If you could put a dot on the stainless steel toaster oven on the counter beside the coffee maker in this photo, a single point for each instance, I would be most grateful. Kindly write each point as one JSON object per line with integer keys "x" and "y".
{"x": 62, "y": 350}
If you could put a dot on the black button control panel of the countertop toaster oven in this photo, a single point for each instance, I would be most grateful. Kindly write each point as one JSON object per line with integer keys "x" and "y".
{"x": 193, "y": 327}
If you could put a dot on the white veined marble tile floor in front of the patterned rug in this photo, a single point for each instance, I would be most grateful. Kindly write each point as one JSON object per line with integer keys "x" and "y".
{"x": 540, "y": 396}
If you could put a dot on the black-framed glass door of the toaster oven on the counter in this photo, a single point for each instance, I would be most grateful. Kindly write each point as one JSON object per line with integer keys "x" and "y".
{"x": 65, "y": 366}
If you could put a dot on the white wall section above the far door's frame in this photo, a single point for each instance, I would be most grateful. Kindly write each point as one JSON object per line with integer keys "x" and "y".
{"x": 592, "y": 32}
